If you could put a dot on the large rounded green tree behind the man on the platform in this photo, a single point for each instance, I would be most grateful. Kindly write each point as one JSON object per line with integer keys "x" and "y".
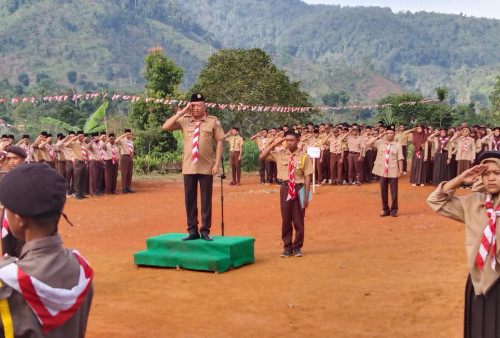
{"x": 248, "y": 76}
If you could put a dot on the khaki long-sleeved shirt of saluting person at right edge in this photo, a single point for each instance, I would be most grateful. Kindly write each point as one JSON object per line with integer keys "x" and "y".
{"x": 469, "y": 209}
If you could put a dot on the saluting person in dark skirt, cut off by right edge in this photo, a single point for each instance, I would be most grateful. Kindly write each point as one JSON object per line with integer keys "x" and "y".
{"x": 479, "y": 211}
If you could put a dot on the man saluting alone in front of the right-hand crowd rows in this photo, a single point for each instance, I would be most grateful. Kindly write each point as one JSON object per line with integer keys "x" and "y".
{"x": 389, "y": 167}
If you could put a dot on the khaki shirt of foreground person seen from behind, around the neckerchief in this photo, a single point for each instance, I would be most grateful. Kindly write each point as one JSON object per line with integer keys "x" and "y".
{"x": 46, "y": 260}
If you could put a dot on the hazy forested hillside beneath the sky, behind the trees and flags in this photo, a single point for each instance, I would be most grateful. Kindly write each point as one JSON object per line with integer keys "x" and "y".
{"x": 367, "y": 52}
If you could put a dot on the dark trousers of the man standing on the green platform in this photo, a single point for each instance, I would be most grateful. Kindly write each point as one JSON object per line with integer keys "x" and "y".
{"x": 191, "y": 201}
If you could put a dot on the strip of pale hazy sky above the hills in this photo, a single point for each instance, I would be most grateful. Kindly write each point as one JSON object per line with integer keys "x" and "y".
{"x": 478, "y": 8}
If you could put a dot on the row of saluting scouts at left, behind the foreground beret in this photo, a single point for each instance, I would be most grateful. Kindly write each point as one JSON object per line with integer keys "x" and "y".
{"x": 89, "y": 165}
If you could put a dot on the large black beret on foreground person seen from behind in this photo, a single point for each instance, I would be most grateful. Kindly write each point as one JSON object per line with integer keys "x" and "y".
{"x": 33, "y": 190}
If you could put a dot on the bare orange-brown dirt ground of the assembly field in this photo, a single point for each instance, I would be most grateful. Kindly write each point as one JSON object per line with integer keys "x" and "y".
{"x": 361, "y": 275}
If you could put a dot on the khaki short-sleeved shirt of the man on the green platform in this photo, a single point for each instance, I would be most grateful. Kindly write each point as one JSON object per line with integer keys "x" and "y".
{"x": 210, "y": 131}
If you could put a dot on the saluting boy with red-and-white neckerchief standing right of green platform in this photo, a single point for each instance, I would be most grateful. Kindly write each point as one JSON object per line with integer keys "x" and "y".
{"x": 294, "y": 171}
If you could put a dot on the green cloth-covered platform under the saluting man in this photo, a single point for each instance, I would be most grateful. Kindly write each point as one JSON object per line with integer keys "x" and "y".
{"x": 224, "y": 252}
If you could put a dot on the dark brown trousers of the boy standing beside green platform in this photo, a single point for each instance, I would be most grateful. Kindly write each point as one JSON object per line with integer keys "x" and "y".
{"x": 291, "y": 213}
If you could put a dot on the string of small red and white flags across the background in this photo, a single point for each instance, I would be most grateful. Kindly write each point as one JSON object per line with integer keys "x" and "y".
{"x": 180, "y": 103}
